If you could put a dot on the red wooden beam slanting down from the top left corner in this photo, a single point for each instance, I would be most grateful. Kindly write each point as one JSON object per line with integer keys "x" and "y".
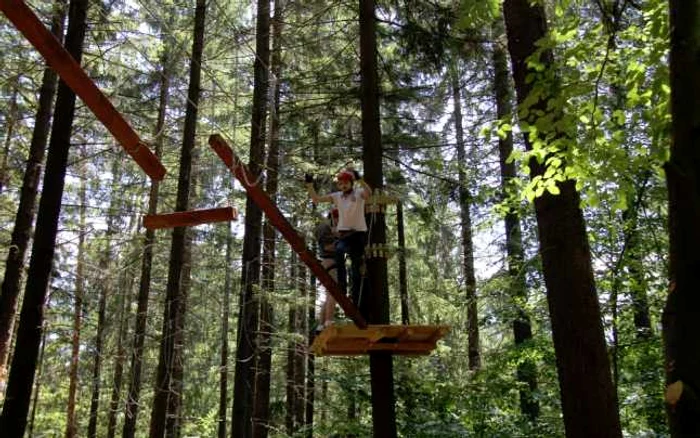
{"x": 75, "y": 77}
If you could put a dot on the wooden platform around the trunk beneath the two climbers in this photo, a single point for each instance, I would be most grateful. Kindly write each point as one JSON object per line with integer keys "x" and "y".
{"x": 407, "y": 340}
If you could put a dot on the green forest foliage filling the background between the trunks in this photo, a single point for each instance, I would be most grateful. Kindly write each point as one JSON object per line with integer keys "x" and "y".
{"x": 607, "y": 129}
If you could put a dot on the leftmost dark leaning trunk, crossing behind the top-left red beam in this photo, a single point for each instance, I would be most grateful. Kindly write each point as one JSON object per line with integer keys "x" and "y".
{"x": 21, "y": 233}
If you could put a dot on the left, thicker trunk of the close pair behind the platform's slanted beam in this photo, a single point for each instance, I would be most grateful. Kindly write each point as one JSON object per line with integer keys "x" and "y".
{"x": 244, "y": 379}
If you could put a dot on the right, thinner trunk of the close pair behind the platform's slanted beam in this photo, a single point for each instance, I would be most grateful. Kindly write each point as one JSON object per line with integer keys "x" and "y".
{"x": 261, "y": 410}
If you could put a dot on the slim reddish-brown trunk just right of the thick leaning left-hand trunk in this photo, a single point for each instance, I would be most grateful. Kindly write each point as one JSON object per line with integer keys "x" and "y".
{"x": 71, "y": 429}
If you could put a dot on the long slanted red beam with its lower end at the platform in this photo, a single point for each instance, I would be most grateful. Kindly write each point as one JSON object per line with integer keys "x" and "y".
{"x": 277, "y": 219}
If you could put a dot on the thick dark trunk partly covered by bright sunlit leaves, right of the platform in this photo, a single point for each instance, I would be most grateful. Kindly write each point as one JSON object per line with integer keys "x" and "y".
{"x": 589, "y": 402}
